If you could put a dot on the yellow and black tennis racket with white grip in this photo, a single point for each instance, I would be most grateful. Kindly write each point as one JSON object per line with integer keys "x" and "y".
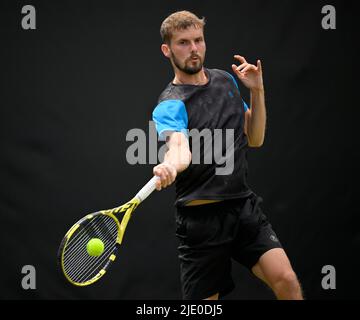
{"x": 82, "y": 269}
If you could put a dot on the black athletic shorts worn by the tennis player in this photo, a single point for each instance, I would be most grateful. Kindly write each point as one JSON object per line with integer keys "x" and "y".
{"x": 211, "y": 234}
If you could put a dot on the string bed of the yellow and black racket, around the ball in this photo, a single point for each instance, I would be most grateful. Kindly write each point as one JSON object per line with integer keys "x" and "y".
{"x": 78, "y": 264}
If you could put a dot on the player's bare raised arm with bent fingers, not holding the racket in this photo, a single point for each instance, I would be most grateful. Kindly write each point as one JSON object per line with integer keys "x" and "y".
{"x": 255, "y": 117}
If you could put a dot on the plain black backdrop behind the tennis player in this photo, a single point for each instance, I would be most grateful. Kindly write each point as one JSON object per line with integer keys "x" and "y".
{"x": 93, "y": 70}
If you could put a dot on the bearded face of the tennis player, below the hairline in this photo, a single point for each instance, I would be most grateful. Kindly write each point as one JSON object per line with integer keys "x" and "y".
{"x": 187, "y": 50}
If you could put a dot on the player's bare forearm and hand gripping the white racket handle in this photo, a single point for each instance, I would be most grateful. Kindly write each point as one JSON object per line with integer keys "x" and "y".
{"x": 177, "y": 158}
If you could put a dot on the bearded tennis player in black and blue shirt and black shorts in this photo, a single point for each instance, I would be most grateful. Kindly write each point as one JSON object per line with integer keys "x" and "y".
{"x": 218, "y": 216}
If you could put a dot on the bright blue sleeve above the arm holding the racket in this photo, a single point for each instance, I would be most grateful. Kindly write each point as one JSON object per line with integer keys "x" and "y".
{"x": 170, "y": 115}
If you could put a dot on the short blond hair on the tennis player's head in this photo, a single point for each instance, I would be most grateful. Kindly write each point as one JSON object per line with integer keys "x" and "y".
{"x": 179, "y": 20}
